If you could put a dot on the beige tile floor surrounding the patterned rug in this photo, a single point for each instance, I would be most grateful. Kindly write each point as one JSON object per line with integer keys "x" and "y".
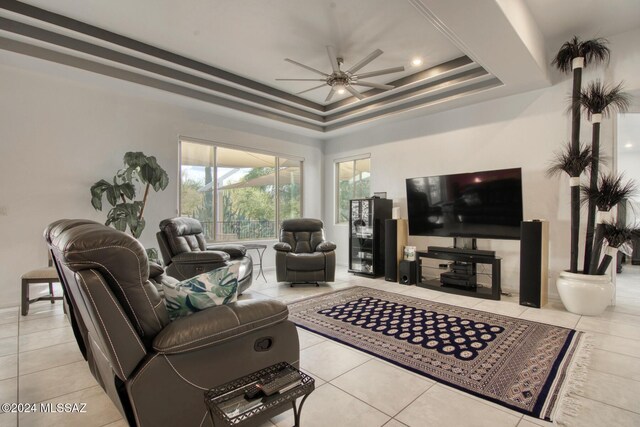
{"x": 40, "y": 362}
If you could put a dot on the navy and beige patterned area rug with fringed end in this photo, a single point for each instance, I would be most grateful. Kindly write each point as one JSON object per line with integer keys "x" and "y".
{"x": 526, "y": 366}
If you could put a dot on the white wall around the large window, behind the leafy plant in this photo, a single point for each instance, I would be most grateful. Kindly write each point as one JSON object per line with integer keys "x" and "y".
{"x": 63, "y": 129}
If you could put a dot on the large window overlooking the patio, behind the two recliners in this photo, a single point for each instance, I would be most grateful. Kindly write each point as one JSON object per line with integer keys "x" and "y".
{"x": 237, "y": 194}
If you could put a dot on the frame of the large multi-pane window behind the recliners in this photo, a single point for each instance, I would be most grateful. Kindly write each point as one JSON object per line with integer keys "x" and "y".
{"x": 237, "y": 147}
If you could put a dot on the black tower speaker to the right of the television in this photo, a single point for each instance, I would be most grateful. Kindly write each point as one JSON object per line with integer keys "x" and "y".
{"x": 534, "y": 263}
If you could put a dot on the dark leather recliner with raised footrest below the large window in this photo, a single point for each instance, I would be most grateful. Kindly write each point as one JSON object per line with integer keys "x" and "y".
{"x": 186, "y": 254}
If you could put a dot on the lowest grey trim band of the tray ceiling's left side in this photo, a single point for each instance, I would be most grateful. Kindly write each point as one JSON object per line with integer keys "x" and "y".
{"x": 118, "y": 73}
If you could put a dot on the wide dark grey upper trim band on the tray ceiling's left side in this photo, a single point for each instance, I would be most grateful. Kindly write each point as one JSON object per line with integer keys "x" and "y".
{"x": 135, "y": 45}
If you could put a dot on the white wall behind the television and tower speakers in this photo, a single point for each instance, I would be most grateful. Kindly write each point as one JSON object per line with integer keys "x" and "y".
{"x": 517, "y": 131}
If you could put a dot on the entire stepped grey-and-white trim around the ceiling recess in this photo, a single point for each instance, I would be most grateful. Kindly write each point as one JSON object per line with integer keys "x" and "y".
{"x": 53, "y": 37}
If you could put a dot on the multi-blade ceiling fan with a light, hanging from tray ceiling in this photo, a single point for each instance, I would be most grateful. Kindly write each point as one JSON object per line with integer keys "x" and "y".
{"x": 341, "y": 81}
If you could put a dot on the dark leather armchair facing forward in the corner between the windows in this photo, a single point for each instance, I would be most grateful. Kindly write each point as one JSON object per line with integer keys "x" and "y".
{"x": 303, "y": 254}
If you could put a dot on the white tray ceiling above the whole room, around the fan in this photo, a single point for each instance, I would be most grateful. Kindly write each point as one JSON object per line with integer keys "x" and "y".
{"x": 508, "y": 43}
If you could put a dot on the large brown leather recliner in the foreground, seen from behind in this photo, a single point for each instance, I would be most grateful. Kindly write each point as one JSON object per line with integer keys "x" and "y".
{"x": 156, "y": 371}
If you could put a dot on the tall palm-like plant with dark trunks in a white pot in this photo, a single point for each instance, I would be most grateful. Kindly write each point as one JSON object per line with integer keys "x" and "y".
{"x": 588, "y": 294}
